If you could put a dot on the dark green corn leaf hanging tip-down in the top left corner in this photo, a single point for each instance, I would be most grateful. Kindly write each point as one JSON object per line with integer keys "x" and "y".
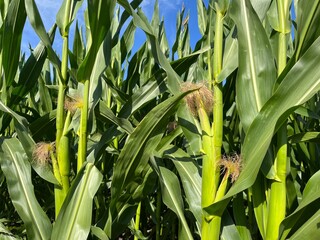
{"x": 11, "y": 40}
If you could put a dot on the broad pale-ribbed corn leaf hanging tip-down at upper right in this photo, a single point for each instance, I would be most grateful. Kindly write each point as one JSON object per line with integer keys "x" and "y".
{"x": 257, "y": 72}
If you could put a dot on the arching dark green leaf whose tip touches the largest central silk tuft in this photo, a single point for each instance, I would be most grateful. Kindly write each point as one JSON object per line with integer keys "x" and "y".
{"x": 129, "y": 163}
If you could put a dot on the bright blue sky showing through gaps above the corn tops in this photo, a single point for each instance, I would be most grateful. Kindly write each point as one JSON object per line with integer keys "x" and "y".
{"x": 168, "y": 9}
